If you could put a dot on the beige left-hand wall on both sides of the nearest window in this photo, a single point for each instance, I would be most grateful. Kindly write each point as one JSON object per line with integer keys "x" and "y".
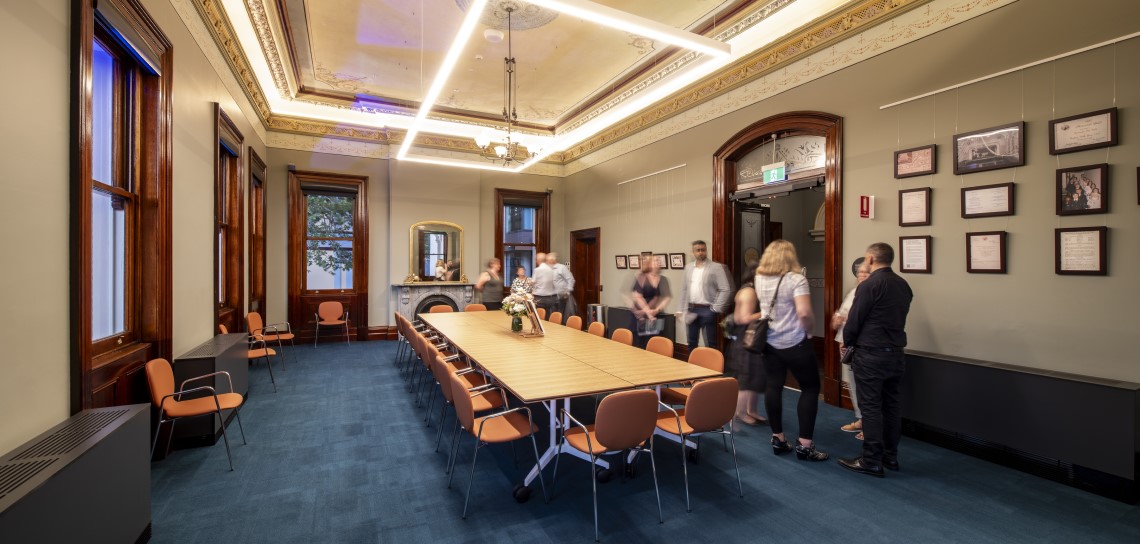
{"x": 35, "y": 371}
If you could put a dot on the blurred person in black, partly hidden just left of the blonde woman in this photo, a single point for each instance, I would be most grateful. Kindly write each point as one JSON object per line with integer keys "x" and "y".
{"x": 746, "y": 367}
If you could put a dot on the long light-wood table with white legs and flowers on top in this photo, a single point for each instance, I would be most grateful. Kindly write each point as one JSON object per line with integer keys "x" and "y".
{"x": 564, "y": 364}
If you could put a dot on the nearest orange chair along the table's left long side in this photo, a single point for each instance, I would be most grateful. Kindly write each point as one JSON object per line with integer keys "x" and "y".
{"x": 501, "y": 427}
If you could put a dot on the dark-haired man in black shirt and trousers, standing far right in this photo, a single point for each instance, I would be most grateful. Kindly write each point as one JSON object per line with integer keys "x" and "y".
{"x": 876, "y": 330}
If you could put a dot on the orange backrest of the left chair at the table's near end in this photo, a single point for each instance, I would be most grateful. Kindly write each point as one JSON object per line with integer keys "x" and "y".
{"x": 626, "y": 419}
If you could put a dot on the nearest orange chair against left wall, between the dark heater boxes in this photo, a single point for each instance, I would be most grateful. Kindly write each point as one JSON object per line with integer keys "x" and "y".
{"x": 172, "y": 408}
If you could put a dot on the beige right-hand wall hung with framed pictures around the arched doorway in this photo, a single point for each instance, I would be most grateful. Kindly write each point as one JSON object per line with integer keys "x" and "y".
{"x": 1030, "y": 316}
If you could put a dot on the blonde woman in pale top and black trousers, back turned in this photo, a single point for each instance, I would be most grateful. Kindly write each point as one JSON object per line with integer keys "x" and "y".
{"x": 780, "y": 287}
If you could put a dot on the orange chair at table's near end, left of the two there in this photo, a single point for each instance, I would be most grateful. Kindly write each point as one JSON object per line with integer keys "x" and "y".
{"x": 625, "y": 421}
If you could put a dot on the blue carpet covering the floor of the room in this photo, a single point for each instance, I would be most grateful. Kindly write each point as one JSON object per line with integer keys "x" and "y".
{"x": 341, "y": 456}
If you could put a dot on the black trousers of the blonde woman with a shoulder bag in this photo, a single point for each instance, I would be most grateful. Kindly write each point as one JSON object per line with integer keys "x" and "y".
{"x": 801, "y": 361}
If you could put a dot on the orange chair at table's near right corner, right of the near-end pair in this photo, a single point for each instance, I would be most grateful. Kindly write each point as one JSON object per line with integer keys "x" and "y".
{"x": 711, "y": 409}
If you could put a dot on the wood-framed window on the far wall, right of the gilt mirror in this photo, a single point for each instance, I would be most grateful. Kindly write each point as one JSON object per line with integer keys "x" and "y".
{"x": 523, "y": 229}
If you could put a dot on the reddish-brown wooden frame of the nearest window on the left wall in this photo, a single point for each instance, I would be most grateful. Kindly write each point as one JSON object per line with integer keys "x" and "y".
{"x": 100, "y": 377}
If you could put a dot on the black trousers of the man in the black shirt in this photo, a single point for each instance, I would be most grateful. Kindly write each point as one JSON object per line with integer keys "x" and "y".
{"x": 878, "y": 376}
